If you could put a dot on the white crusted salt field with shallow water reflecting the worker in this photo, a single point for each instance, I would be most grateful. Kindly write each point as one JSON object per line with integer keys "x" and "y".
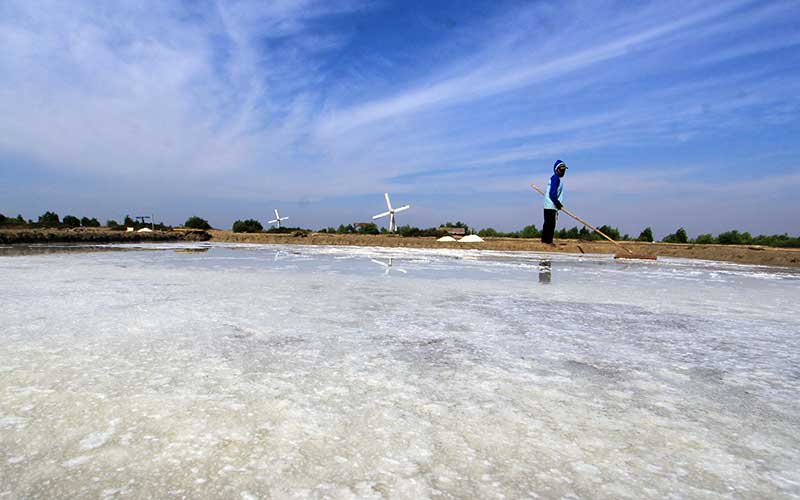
{"x": 262, "y": 371}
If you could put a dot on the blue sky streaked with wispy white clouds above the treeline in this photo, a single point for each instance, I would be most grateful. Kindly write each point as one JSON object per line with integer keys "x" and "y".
{"x": 668, "y": 113}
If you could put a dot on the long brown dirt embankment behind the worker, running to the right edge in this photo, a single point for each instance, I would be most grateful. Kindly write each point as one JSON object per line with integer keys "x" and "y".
{"x": 743, "y": 254}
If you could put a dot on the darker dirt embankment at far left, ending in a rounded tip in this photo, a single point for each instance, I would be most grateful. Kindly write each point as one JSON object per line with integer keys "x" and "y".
{"x": 95, "y": 235}
